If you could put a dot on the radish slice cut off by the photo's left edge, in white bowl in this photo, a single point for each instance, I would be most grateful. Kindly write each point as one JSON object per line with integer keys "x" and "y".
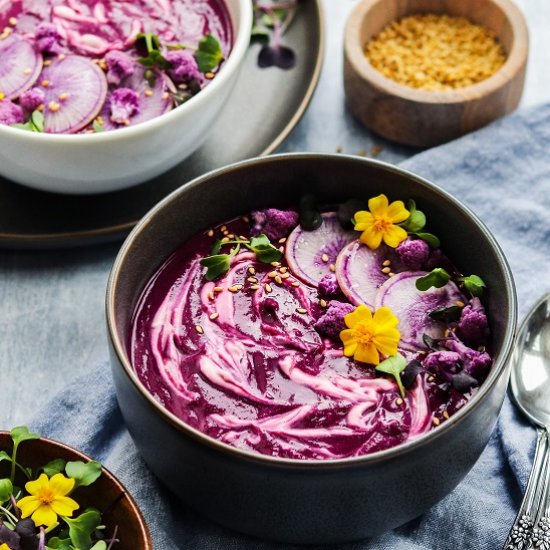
{"x": 20, "y": 65}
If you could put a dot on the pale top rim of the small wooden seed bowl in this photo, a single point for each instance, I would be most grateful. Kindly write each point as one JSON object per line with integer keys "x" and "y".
{"x": 515, "y": 61}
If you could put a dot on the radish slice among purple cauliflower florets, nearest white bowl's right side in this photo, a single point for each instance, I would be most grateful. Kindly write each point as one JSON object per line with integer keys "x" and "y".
{"x": 152, "y": 101}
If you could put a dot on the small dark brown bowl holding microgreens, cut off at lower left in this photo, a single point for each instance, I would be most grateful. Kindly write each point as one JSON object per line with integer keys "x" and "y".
{"x": 107, "y": 494}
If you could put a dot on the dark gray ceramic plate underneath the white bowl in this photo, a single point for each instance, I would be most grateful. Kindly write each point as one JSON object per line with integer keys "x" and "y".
{"x": 265, "y": 106}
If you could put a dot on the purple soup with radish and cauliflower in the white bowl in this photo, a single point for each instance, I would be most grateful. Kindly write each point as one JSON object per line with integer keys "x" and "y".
{"x": 86, "y": 66}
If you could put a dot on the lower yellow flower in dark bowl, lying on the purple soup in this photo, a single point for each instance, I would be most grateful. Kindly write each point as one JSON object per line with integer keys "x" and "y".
{"x": 368, "y": 335}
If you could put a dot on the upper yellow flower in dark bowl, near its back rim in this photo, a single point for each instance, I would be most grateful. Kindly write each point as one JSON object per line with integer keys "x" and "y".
{"x": 379, "y": 223}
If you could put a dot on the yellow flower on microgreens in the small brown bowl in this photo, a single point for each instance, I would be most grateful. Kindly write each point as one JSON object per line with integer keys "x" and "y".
{"x": 48, "y": 499}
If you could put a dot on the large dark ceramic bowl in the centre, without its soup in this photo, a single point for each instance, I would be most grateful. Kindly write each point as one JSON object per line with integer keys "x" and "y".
{"x": 294, "y": 500}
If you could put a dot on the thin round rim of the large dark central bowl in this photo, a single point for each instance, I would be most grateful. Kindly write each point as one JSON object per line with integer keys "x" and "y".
{"x": 498, "y": 369}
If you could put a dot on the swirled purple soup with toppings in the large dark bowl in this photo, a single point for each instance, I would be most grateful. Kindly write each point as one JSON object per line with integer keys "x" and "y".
{"x": 258, "y": 357}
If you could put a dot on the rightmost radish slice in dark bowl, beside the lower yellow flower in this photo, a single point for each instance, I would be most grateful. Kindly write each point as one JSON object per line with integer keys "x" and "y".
{"x": 412, "y": 306}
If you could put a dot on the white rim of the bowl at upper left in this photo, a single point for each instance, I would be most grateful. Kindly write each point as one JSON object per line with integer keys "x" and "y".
{"x": 241, "y": 31}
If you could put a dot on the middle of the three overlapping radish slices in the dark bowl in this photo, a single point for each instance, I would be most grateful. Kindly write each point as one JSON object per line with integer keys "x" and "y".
{"x": 359, "y": 271}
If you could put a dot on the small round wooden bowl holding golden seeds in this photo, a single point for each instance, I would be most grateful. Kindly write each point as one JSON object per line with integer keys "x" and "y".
{"x": 422, "y": 118}
